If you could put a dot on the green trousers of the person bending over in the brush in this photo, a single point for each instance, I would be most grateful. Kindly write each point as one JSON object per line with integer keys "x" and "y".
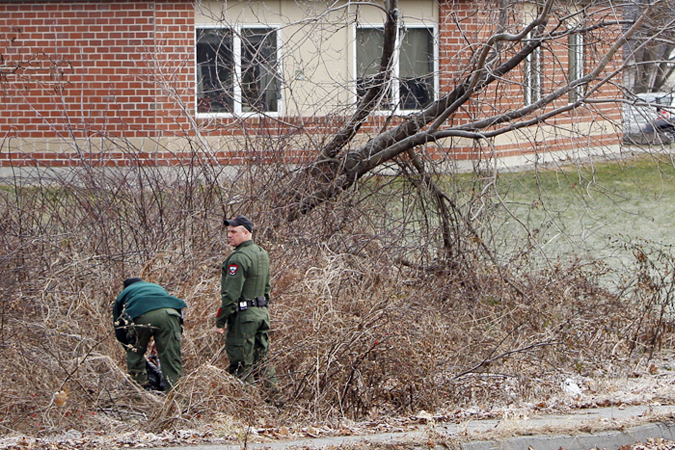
{"x": 164, "y": 325}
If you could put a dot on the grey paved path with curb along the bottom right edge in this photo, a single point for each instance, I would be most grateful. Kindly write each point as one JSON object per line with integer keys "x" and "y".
{"x": 545, "y": 432}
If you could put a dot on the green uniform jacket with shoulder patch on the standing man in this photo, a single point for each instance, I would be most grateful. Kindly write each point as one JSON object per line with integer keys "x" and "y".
{"x": 245, "y": 276}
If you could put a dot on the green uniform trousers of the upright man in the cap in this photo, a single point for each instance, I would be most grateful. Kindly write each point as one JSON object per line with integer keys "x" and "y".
{"x": 247, "y": 345}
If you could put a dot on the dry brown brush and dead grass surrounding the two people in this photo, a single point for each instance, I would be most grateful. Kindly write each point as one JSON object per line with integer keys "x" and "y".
{"x": 366, "y": 326}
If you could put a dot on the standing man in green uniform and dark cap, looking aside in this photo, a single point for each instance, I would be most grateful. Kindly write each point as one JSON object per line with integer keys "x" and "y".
{"x": 245, "y": 294}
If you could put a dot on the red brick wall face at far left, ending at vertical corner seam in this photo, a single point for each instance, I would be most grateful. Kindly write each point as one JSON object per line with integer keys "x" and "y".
{"x": 77, "y": 67}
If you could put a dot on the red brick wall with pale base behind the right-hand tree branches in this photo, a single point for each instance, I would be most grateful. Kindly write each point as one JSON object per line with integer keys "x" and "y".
{"x": 467, "y": 24}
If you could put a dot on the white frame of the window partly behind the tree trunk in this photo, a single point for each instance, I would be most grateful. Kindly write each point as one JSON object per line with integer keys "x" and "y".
{"x": 394, "y": 86}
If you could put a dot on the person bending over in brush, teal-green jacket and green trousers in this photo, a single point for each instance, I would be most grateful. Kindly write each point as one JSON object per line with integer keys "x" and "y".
{"x": 144, "y": 310}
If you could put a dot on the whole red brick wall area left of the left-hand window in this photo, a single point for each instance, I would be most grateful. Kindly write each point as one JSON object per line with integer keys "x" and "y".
{"x": 89, "y": 69}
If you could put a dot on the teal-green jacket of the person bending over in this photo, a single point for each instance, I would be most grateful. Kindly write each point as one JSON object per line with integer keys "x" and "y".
{"x": 139, "y": 298}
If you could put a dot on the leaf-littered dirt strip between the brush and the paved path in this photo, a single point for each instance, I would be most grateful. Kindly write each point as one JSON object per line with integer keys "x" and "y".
{"x": 653, "y": 387}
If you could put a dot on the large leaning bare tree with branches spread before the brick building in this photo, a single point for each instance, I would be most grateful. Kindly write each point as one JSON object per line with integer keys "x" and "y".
{"x": 479, "y": 105}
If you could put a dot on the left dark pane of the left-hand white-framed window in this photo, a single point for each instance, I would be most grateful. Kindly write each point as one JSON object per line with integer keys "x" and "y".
{"x": 214, "y": 70}
